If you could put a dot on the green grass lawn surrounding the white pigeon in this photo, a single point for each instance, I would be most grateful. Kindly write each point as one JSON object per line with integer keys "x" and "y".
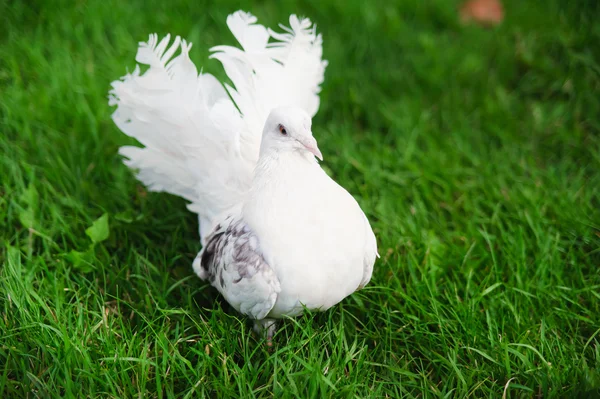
{"x": 474, "y": 152}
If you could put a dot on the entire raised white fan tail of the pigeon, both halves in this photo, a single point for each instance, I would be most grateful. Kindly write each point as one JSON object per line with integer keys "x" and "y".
{"x": 198, "y": 143}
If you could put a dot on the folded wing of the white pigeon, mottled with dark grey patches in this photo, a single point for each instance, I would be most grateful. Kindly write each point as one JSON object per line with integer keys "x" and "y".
{"x": 233, "y": 263}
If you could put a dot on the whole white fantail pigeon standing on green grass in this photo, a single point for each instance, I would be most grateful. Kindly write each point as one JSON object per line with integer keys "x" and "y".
{"x": 277, "y": 233}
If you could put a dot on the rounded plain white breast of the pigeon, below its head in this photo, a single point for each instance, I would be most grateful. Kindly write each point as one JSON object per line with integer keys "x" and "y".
{"x": 311, "y": 233}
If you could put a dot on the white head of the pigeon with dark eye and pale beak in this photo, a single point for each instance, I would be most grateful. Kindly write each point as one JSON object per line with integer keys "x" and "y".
{"x": 289, "y": 128}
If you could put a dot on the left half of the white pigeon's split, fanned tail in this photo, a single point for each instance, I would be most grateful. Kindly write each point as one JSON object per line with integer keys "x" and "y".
{"x": 189, "y": 127}
